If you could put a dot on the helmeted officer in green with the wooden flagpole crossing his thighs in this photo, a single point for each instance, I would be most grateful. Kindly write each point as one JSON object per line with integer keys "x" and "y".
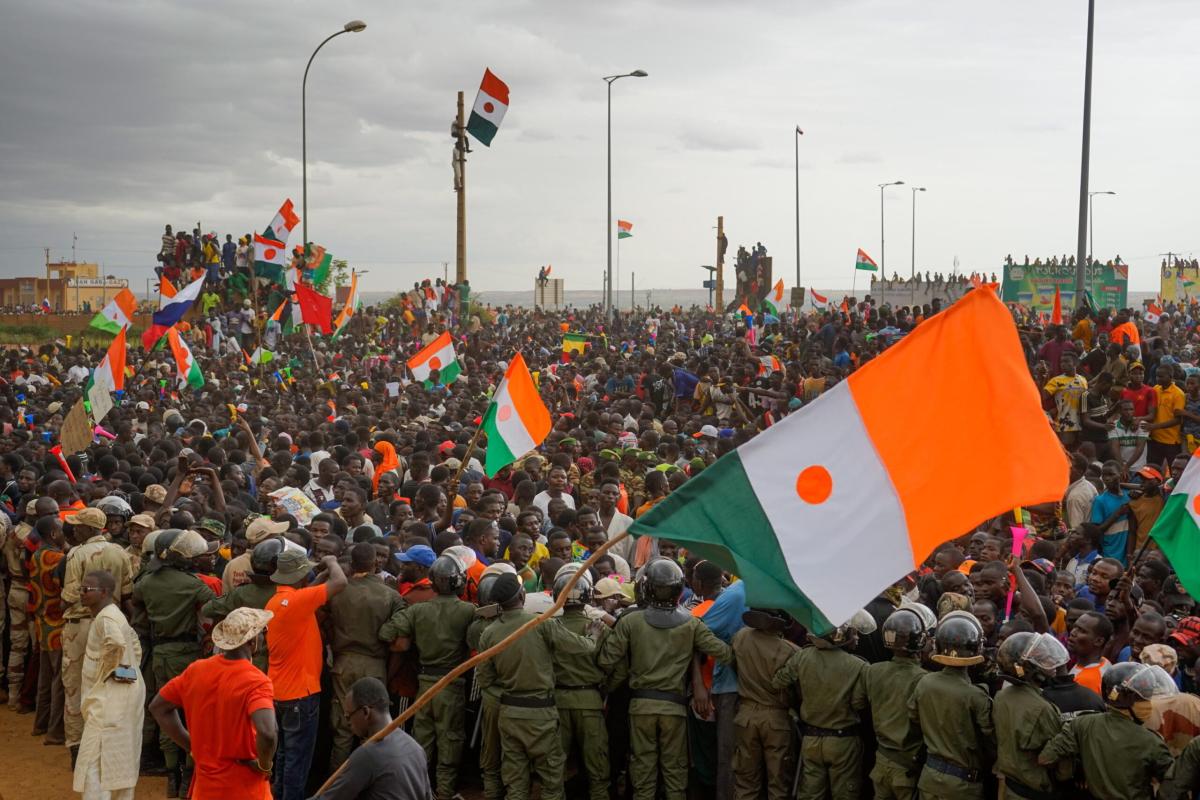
{"x": 439, "y": 631}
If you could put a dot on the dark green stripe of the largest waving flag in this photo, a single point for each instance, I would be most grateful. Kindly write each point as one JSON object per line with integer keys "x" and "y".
{"x": 717, "y": 515}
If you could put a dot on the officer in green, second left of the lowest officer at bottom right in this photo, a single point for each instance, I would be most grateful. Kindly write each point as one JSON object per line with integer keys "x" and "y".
{"x": 955, "y": 715}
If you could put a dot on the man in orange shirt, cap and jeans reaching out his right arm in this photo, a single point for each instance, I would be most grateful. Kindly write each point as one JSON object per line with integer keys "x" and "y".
{"x": 296, "y": 660}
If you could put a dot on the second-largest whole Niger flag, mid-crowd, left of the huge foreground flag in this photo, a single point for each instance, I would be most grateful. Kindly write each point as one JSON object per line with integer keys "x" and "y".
{"x": 517, "y": 422}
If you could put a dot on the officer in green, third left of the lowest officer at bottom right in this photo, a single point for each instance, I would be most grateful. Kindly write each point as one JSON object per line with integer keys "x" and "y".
{"x": 890, "y": 684}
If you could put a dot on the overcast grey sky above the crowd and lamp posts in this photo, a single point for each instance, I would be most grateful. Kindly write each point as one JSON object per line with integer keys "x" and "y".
{"x": 119, "y": 117}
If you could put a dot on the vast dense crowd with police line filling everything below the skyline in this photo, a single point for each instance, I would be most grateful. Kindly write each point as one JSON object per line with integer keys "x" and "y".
{"x": 237, "y": 585}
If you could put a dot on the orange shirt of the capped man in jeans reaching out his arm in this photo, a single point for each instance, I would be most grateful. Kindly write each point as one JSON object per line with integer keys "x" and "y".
{"x": 295, "y": 641}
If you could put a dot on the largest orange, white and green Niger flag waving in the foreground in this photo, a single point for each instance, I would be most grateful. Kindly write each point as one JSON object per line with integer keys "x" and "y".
{"x": 845, "y": 497}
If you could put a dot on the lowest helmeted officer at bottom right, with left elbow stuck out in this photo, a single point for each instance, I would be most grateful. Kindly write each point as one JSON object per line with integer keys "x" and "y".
{"x": 1120, "y": 759}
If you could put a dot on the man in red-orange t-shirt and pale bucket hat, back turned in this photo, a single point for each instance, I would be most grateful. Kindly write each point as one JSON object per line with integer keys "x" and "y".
{"x": 231, "y": 713}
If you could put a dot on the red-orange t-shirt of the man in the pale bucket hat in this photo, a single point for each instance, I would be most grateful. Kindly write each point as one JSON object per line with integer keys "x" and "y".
{"x": 218, "y": 696}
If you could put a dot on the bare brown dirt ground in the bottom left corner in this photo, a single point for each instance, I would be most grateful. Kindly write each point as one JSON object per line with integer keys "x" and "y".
{"x": 29, "y": 771}
